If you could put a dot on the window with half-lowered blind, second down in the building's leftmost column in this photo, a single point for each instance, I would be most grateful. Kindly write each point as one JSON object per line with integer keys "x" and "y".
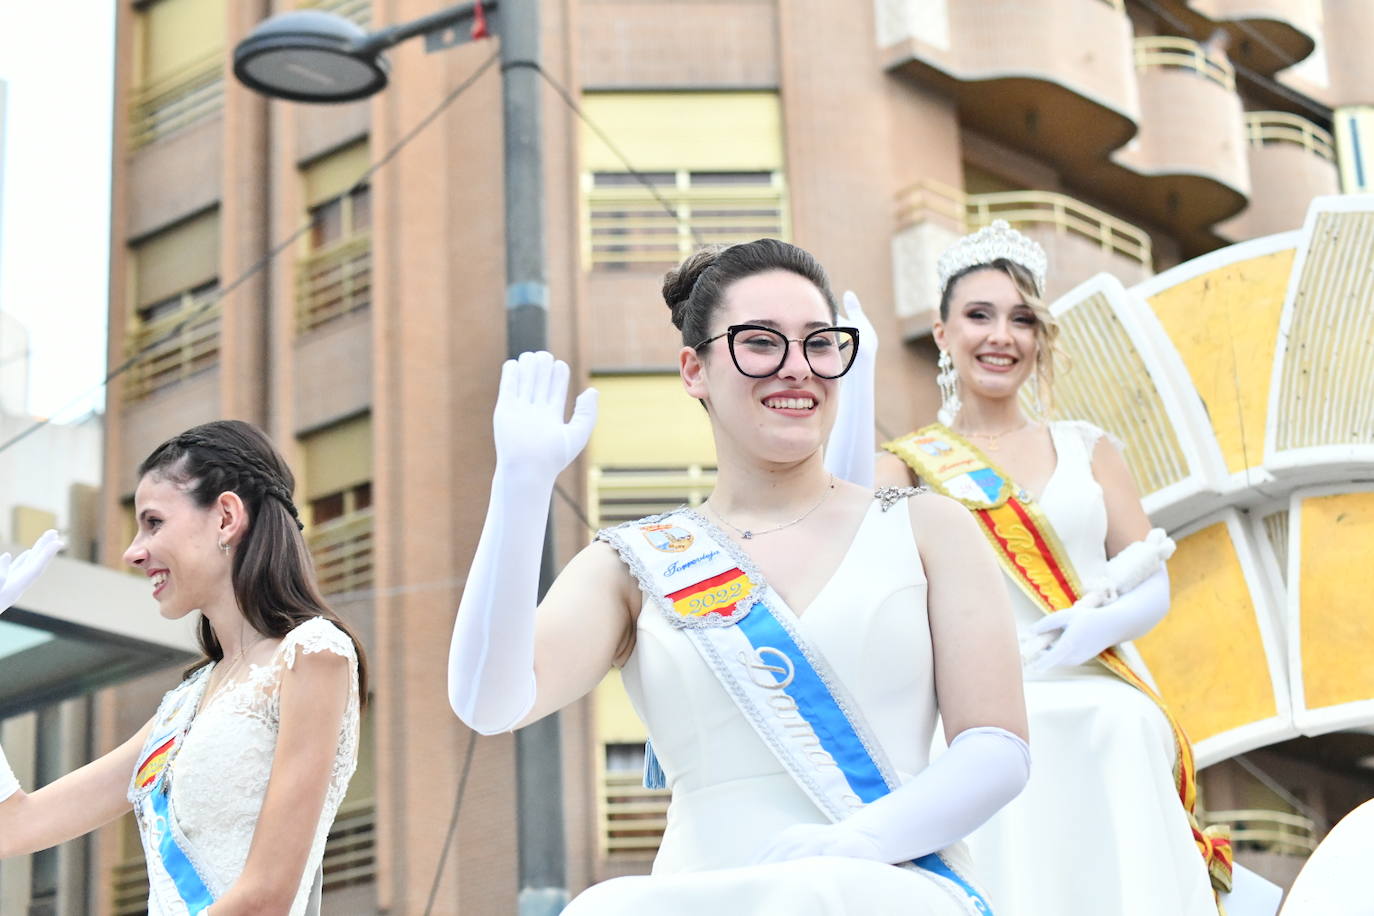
{"x": 175, "y": 323}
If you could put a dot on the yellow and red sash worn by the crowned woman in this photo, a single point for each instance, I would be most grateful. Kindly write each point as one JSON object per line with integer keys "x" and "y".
{"x": 1033, "y": 557}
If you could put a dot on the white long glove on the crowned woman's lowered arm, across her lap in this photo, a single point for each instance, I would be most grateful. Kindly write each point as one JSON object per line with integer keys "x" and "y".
{"x": 1085, "y": 630}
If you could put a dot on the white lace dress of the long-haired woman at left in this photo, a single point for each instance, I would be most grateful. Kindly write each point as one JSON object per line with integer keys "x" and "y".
{"x": 221, "y": 772}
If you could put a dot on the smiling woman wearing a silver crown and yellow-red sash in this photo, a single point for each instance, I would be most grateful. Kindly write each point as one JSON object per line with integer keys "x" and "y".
{"x": 1115, "y": 778}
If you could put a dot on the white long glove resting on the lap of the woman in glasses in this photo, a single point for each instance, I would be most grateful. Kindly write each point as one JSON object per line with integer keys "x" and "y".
{"x": 984, "y": 770}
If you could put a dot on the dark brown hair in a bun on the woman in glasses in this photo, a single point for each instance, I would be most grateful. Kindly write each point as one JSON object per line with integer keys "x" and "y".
{"x": 696, "y": 288}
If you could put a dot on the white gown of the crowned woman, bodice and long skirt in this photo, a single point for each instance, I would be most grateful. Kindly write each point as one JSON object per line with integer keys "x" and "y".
{"x": 1100, "y": 829}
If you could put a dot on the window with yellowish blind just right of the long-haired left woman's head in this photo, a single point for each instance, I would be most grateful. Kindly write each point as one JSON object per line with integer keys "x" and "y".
{"x": 339, "y": 498}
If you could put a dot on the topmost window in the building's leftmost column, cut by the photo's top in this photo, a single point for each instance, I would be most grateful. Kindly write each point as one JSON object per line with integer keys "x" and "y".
{"x": 179, "y": 67}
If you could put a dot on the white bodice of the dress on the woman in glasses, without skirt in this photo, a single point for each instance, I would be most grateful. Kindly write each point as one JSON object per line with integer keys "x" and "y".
{"x": 730, "y": 796}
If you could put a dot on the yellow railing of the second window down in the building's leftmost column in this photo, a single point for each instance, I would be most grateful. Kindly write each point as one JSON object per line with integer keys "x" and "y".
{"x": 174, "y": 355}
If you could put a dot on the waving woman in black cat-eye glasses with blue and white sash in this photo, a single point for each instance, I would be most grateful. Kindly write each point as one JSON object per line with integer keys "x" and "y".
{"x": 785, "y": 645}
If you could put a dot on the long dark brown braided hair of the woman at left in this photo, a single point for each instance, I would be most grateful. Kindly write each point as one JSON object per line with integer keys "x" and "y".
{"x": 274, "y": 576}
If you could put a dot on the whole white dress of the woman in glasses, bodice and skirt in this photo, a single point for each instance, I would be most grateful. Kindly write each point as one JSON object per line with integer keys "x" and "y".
{"x": 730, "y": 796}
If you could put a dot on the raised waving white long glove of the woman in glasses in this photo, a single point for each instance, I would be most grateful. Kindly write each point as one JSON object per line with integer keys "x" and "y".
{"x": 491, "y": 661}
